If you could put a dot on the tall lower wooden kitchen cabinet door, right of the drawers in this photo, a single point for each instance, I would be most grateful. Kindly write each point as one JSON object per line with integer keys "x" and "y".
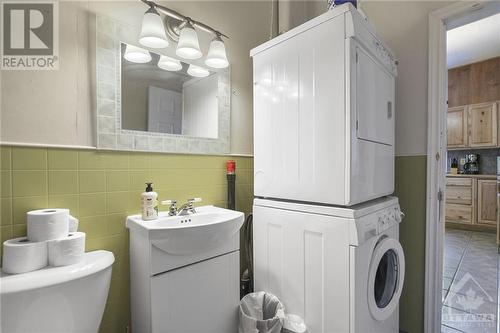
{"x": 487, "y": 202}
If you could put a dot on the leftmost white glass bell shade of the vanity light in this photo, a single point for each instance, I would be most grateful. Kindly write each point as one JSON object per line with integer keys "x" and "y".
{"x": 153, "y": 31}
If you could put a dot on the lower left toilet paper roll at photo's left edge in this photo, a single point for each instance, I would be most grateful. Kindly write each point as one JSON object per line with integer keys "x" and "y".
{"x": 21, "y": 255}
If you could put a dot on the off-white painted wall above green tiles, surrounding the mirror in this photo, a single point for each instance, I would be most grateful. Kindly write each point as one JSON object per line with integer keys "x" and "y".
{"x": 57, "y": 107}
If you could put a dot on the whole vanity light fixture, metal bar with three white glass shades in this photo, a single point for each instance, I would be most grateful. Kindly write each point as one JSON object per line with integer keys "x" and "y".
{"x": 184, "y": 29}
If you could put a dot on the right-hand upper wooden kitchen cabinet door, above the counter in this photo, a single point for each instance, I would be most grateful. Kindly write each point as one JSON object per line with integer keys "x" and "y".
{"x": 482, "y": 124}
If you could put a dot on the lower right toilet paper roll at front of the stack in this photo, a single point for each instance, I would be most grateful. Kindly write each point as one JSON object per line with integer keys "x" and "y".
{"x": 68, "y": 250}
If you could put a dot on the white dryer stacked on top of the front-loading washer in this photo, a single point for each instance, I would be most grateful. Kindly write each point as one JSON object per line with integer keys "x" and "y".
{"x": 324, "y": 112}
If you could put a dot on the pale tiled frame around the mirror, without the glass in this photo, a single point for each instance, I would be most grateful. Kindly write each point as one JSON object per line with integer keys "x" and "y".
{"x": 110, "y": 135}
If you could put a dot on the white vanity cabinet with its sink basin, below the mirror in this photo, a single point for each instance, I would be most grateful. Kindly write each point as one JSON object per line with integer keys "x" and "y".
{"x": 184, "y": 272}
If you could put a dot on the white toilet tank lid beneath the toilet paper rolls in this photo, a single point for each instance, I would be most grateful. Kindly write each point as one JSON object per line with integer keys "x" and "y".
{"x": 91, "y": 263}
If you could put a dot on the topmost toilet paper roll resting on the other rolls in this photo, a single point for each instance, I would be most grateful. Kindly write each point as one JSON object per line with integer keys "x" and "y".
{"x": 47, "y": 224}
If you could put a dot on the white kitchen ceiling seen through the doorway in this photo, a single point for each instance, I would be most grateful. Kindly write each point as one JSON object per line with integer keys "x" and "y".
{"x": 473, "y": 42}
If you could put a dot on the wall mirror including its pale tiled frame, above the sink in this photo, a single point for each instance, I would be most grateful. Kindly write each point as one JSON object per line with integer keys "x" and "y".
{"x": 149, "y": 100}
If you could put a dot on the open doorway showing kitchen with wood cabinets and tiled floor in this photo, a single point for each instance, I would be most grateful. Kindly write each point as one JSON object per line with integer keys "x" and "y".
{"x": 470, "y": 265}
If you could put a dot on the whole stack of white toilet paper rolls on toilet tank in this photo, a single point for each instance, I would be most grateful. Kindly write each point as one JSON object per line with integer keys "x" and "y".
{"x": 53, "y": 239}
